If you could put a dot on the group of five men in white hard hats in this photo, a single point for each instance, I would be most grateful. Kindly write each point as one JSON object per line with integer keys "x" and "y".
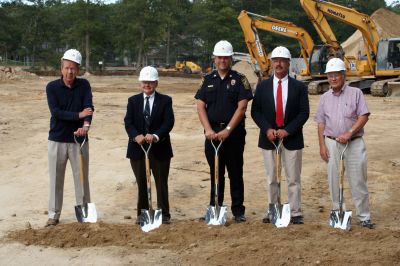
{"x": 280, "y": 108}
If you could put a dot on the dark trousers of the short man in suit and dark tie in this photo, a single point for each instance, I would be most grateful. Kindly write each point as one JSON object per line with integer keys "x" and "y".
{"x": 160, "y": 171}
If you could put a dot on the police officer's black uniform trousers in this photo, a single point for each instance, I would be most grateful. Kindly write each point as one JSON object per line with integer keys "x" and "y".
{"x": 231, "y": 157}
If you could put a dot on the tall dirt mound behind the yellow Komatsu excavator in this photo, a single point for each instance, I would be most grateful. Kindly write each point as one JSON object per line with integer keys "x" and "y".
{"x": 387, "y": 24}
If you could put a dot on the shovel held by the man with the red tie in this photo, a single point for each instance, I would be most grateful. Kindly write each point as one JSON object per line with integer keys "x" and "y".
{"x": 279, "y": 214}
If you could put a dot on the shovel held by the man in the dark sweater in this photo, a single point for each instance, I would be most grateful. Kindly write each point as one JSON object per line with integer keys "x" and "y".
{"x": 85, "y": 213}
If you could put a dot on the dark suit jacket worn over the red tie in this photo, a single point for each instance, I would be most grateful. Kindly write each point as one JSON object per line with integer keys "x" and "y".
{"x": 296, "y": 113}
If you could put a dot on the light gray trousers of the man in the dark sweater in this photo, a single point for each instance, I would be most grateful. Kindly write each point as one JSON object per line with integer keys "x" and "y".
{"x": 59, "y": 153}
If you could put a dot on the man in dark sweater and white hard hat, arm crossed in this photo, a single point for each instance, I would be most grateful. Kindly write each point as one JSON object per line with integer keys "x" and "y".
{"x": 71, "y": 107}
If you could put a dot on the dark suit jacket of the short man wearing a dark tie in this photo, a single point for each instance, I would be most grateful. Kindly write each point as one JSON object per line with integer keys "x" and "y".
{"x": 161, "y": 123}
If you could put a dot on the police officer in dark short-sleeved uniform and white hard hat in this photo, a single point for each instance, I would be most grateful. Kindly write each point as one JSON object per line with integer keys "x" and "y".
{"x": 221, "y": 104}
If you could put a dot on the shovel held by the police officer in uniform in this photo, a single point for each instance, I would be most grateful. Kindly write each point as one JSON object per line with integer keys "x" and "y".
{"x": 216, "y": 215}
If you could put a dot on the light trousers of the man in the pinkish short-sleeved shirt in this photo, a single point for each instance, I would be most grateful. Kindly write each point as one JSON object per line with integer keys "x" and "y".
{"x": 355, "y": 161}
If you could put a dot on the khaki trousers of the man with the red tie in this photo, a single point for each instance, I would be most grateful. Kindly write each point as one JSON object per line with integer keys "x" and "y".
{"x": 291, "y": 162}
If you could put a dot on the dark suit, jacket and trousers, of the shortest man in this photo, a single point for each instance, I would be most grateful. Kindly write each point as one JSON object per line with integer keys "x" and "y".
{"x": 161, "y": 123}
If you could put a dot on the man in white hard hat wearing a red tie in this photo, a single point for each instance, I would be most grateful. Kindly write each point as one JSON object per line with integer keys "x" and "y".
{"x": 280, "y": 109}
